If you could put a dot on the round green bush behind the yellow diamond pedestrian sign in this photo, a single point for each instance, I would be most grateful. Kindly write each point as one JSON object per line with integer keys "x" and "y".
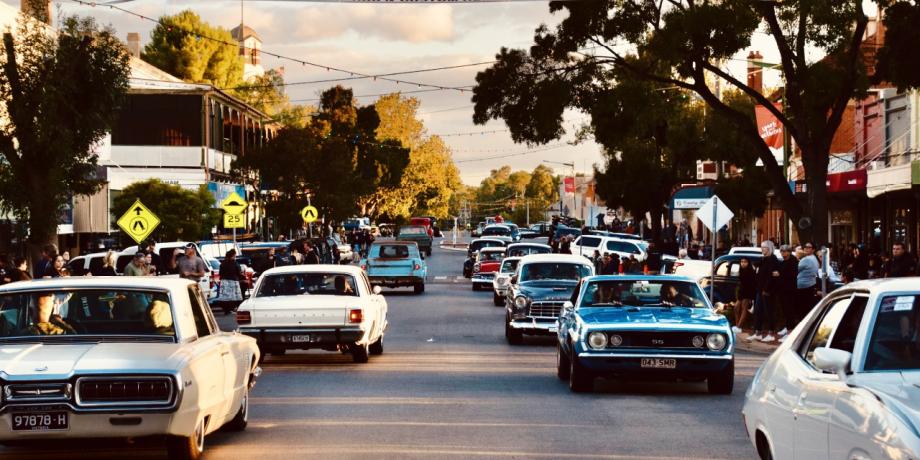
{"x": 184, "y": 214}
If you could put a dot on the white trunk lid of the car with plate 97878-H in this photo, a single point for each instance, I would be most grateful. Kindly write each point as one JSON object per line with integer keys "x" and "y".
{"x": 32, "y": 361}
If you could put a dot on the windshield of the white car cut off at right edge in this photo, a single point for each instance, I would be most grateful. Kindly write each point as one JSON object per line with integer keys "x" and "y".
{"x": 895, "y": 342}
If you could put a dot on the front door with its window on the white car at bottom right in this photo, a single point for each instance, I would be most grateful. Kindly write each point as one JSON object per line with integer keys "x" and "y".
{"x": 836, "y": 327}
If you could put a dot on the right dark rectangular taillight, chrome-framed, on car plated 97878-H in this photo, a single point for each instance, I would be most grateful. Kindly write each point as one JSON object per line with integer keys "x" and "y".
{"x": 109, "y": 391}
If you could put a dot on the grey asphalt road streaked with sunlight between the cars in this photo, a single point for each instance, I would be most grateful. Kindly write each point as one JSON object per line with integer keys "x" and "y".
{"x": 448, "y": 386}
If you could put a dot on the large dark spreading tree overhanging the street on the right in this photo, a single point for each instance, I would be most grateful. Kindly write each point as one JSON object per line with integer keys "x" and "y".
{"x": 681, "y": 44}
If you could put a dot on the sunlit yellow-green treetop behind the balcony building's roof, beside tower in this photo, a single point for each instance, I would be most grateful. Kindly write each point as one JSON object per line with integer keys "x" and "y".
{"x": 193, "y": 50}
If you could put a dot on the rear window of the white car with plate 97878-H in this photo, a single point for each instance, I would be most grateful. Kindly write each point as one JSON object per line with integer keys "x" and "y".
{"x": 86, "y": 312}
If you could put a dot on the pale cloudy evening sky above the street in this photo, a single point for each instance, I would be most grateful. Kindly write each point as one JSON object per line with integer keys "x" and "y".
{"x": 382, "y": 38}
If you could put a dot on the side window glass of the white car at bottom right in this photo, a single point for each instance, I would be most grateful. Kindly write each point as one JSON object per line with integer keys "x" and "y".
{"x": 837, "y": 327}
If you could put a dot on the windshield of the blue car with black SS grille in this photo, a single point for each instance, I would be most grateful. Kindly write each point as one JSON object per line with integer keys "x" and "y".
{"x": 643, "y": 293}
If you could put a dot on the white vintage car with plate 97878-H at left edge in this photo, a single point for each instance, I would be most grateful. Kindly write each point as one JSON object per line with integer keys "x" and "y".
{"x": 119, "y": 357}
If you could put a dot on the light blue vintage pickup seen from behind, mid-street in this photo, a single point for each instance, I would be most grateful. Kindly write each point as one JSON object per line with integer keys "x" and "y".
{"x": 396, "y": 264}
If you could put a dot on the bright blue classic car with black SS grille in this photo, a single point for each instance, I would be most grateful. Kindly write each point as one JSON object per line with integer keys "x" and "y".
{"x": 643, "y": 326}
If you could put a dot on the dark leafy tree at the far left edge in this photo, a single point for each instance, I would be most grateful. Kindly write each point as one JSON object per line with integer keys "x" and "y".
{"x": 60, "y": 94}
